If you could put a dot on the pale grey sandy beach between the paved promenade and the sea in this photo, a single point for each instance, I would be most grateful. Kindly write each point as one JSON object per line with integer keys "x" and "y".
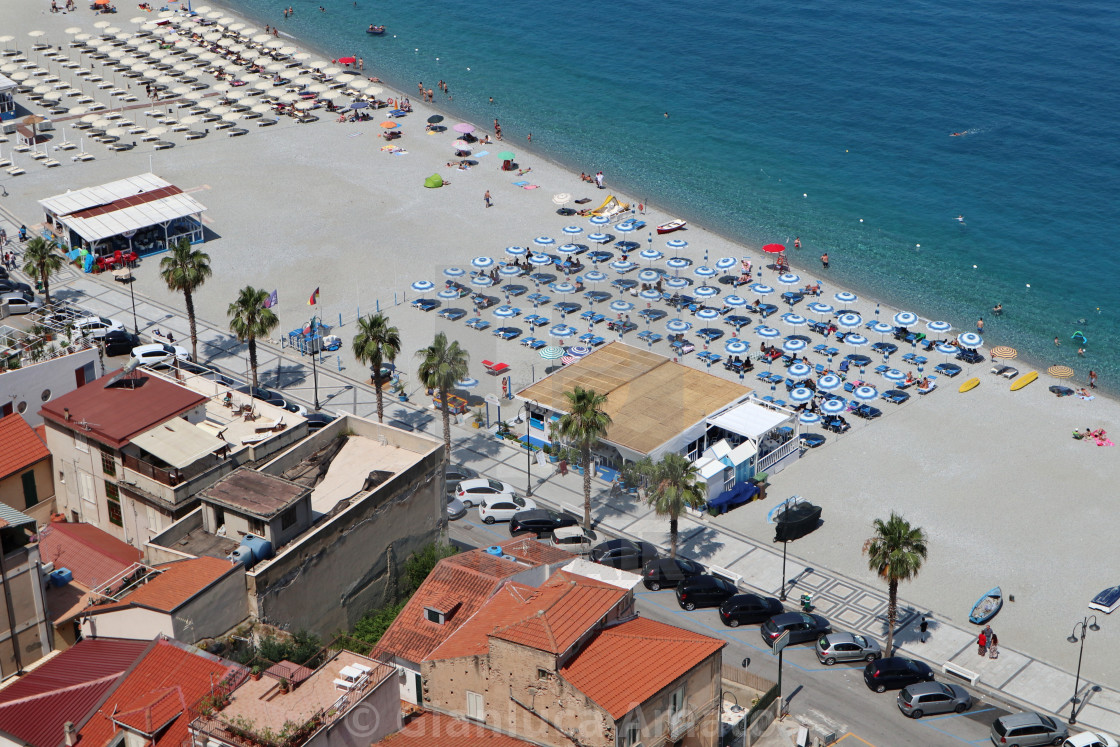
{"x": 1004, "y": 493}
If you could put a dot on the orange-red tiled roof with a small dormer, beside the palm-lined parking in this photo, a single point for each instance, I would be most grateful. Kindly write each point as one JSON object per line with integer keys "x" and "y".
{"x": 471, "y": 578}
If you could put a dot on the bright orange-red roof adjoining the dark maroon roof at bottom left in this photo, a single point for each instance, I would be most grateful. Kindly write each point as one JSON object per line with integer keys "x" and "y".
{"x": 155, "y": 696}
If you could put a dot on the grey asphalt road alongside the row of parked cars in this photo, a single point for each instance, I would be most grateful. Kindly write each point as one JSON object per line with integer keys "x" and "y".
{"x": 830, "y": 701}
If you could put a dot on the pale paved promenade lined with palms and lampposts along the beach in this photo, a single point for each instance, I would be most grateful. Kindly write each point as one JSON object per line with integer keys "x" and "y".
{"x": 1016, "y": 676}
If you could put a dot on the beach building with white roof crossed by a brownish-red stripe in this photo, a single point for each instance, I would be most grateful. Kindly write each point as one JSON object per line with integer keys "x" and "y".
{"x": 143, "y": 214}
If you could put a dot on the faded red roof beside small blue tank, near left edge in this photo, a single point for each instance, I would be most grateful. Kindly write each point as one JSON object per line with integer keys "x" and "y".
{"x": 91, "y": 555}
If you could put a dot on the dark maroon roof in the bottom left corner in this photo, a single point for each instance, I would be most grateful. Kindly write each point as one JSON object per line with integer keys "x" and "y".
{"x": 35, "y": 707}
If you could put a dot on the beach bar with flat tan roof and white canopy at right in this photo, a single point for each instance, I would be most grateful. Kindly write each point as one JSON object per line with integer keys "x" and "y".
{"x": 658, "y": 406}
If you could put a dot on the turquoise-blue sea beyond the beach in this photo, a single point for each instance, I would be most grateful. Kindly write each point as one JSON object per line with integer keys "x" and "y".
{"x": 827, "y": 122}
